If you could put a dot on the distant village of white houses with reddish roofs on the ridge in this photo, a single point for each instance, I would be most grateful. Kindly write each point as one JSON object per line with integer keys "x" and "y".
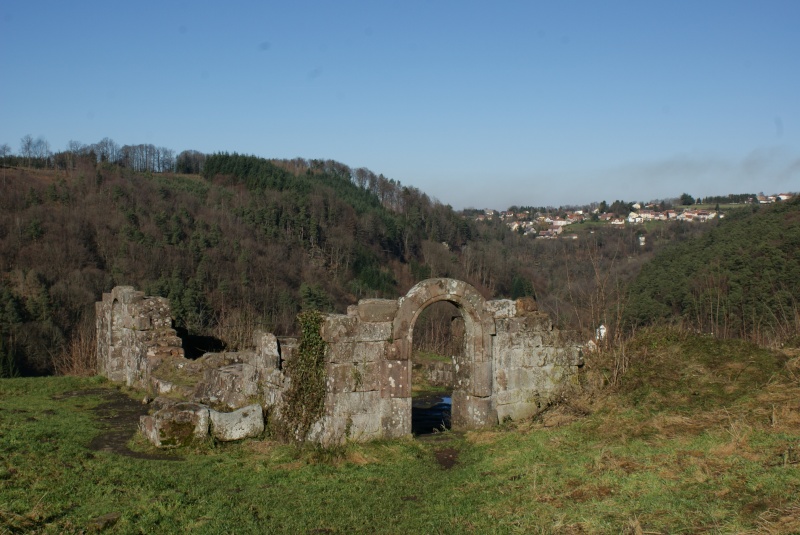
{"x": 550, "y": 224}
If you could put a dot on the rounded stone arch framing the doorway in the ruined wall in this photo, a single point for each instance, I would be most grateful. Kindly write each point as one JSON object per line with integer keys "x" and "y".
{"x": 472, "y": 401}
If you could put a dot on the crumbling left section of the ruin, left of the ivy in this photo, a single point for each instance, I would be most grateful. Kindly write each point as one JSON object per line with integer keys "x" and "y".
{"x": 223, "y": 395}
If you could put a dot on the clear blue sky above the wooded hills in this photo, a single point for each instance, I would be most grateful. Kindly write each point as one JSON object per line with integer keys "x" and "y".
{"x": 476, "y": 103}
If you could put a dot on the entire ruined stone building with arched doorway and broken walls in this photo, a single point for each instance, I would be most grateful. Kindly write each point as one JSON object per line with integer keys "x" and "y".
{"x": 512, "y": 366}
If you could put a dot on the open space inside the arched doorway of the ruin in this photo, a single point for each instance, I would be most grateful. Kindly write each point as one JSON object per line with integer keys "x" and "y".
{"x": 438, "y": 344}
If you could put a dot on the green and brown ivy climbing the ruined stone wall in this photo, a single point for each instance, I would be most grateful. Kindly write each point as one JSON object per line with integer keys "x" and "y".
{"x": 305, "y": 398}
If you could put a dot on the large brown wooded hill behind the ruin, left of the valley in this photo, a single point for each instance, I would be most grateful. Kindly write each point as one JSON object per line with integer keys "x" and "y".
{"x": 249, "y": 243}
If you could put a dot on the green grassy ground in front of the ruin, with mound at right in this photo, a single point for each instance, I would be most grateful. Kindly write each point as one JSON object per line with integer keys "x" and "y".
{"x": 698, "y": 436}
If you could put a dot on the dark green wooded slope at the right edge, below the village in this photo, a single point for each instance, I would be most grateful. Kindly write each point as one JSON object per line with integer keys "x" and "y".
{"x": 740, "y": 280}
